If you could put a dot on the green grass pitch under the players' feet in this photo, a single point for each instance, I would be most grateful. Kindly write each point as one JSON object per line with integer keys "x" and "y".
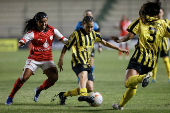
{"x": 109, "y": 81}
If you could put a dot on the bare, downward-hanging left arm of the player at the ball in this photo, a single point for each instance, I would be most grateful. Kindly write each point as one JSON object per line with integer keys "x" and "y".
{"x": 60, "y": 62}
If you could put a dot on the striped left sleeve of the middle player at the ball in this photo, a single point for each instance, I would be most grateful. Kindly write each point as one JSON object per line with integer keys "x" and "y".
{"x": 71, "y": 41}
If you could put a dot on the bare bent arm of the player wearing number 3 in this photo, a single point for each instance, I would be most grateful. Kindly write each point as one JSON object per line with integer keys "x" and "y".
{"x": 127, "y": 37}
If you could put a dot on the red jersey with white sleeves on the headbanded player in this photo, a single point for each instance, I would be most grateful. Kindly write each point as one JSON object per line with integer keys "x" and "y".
{"x": 42, "y": 43}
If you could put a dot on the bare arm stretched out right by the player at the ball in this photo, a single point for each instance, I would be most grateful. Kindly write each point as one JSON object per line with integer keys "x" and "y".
{"x": 107, "y": 44}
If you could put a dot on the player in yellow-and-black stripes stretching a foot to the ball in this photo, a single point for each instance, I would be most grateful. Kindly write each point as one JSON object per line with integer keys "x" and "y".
{"x": 82, "y": 42}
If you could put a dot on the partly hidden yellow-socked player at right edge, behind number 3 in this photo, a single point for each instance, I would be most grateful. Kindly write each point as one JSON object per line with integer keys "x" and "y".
{"x": 164, "y": 51}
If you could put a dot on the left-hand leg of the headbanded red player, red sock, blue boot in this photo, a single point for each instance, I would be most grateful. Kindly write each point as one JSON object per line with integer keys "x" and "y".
{"x": 18, "y": 84}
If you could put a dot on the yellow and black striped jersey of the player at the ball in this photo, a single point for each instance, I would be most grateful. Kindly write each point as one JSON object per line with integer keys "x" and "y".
{"x": 82, "y": 46}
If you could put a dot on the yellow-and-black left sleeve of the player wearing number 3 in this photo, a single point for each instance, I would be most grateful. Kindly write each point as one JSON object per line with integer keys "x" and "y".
{"x": 134, "y": 27}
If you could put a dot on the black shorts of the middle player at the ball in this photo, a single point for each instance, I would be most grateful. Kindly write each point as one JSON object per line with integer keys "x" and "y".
{"x": 79, "y": 68}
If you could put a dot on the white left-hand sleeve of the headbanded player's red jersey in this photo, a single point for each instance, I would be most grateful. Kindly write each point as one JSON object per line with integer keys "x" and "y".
{"x": 27, "y": 37}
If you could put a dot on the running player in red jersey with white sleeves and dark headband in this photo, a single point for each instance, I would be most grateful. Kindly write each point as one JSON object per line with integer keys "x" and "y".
{"x": 41, "y": 35}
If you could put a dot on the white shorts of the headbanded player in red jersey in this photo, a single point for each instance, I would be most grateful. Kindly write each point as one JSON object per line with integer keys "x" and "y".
{"x": 34, "y": 65}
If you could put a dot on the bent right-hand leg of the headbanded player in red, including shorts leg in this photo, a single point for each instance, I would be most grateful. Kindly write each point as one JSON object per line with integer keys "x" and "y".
{"x": 51, "y": 72}
